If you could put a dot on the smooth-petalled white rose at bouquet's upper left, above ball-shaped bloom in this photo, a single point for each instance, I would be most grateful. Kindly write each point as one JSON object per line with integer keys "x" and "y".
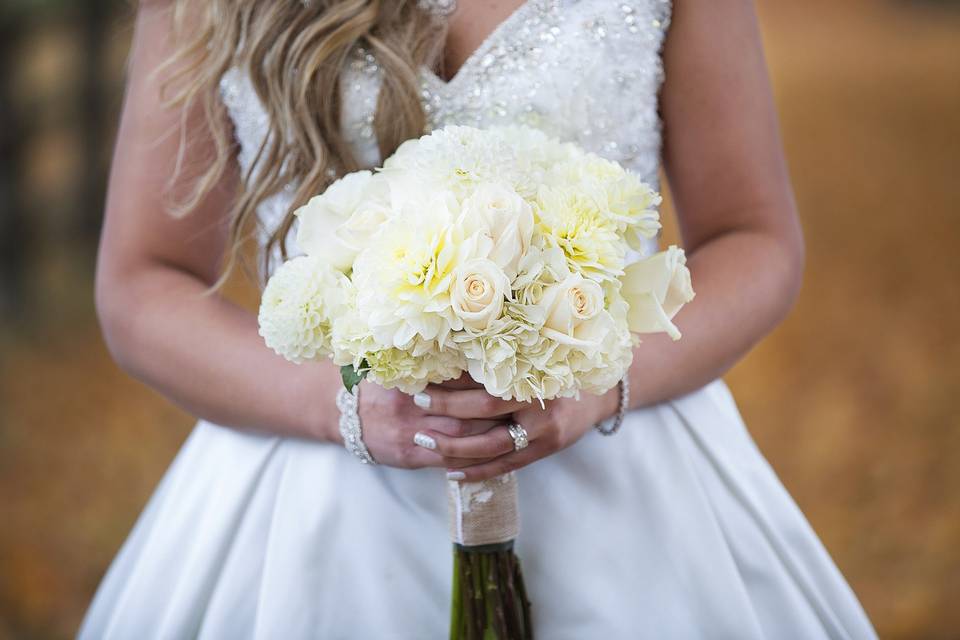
{"x": 319, "y": 219}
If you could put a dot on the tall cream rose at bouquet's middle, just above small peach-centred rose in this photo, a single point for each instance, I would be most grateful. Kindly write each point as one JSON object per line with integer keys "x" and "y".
{"x": 506, "y": 218}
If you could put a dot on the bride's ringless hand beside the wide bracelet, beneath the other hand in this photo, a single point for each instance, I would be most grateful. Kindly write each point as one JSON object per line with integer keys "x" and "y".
{"x": 391, "y": 420}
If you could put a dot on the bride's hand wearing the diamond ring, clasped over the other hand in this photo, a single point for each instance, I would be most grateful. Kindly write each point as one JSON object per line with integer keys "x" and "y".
{"x": 488, "y": 453}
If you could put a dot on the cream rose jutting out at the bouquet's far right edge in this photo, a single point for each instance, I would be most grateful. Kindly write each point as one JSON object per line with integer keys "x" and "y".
{"x": 656, "y": 288}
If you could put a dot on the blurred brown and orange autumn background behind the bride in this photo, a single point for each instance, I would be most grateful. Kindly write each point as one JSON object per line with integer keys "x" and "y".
{"x": 855, "y": 399}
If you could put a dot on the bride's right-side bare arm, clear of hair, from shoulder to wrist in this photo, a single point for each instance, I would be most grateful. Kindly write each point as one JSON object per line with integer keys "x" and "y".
{"x": 733, "y": 198}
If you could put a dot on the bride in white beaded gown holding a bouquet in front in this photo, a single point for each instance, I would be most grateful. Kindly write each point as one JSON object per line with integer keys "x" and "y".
{"x": 265, "y": 526}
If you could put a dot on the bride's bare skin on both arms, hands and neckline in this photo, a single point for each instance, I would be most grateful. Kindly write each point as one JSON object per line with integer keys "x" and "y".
{"x": 738, "y": 222}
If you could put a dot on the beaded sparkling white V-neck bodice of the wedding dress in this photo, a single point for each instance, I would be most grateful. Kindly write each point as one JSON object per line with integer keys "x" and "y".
{"x": 586, "y": 71}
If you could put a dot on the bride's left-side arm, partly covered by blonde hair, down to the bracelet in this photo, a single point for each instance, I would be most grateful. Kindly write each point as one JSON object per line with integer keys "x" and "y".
{"x": 154, "y": 270}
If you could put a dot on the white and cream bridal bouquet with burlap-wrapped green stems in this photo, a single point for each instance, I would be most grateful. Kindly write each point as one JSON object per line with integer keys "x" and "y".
{"x": 502, "y": 253}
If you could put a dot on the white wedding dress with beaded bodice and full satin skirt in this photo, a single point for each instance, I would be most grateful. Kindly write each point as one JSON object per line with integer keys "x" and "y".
{"x": 675, "y": 528}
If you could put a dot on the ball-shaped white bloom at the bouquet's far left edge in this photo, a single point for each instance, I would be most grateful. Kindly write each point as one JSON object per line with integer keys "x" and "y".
{"x": 299, "y": 304}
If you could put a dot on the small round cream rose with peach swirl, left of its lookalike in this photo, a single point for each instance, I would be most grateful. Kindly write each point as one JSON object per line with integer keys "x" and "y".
{"x": 477, "y": 293}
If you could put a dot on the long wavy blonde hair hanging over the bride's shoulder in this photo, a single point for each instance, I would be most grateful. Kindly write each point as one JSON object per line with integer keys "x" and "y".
{"x": 295, "y": 53}
